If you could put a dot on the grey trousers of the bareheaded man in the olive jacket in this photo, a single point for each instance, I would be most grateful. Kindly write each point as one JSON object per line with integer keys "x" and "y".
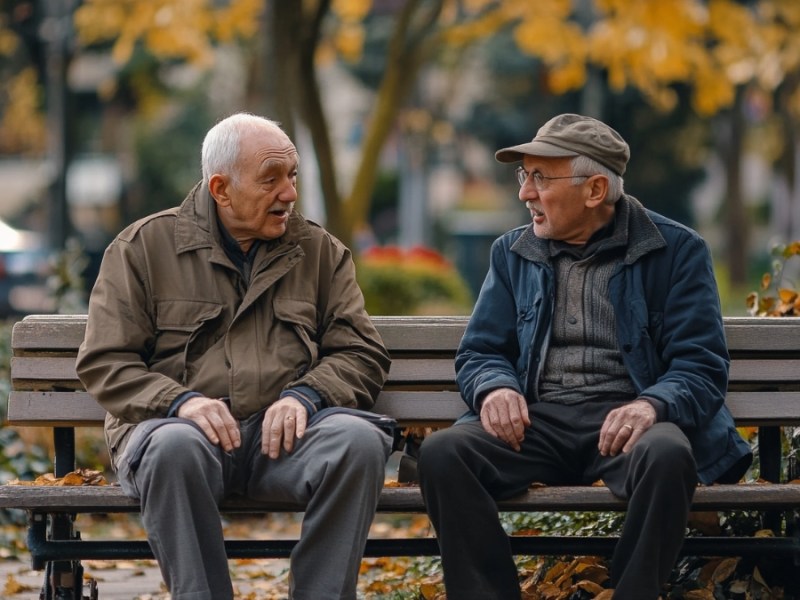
{"x": 179, "y": 477}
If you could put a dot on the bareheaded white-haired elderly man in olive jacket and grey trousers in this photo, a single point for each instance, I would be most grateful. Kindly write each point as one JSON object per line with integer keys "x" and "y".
{"x": 224, "y": 336}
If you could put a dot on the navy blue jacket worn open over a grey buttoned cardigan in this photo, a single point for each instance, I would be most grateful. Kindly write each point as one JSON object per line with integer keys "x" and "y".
{"x": 669, "y": 327}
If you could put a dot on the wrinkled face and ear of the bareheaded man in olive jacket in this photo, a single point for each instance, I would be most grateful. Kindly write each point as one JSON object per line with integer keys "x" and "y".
{"x": 257, "y": 203}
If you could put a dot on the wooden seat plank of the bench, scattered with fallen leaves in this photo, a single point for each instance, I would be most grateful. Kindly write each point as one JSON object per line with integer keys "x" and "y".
{"x": 408, "y": 499}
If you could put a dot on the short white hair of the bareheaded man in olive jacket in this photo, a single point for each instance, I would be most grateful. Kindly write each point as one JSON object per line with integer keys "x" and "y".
{"x": 221, "y": 144}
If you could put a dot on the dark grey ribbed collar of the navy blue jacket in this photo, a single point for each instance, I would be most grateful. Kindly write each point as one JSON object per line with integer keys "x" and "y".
{"x": 631, "y": 224}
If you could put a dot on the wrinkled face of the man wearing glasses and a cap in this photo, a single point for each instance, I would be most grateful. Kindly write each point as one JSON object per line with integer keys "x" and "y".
{"x": 562, "y": 211}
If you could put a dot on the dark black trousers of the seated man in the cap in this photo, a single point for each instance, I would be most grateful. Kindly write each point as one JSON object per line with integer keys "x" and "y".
{"x": 463, "y": 470}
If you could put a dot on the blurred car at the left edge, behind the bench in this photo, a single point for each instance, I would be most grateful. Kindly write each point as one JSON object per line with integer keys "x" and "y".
{"x": 24, "y": 268}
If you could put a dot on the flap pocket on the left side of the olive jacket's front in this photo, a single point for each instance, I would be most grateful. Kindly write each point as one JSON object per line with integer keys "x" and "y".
{"x": 179, "y": 324}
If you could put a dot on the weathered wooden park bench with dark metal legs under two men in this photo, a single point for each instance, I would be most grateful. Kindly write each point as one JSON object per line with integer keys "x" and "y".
{"x": 421, "y": 392}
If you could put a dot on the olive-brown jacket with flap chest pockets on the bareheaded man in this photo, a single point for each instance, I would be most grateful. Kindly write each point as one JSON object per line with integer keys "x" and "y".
{"x": 170, "y": 313}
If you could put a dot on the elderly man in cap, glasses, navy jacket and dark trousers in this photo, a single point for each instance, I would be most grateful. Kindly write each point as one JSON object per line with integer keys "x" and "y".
{"x": 596, "y": 350}
